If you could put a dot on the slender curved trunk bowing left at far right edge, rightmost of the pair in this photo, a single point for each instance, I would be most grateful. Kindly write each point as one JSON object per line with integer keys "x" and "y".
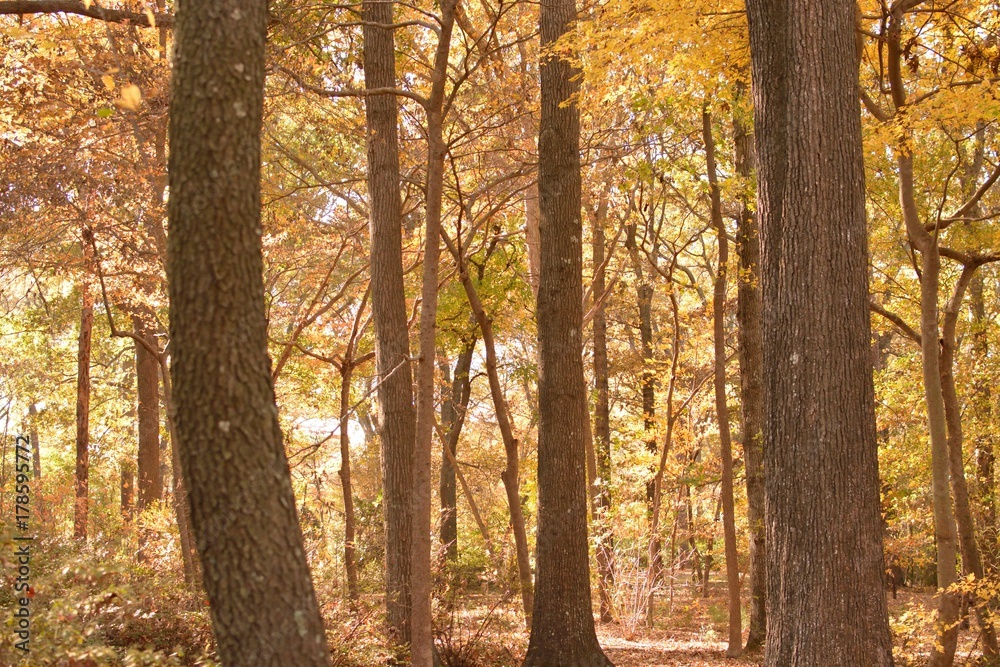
{"x": 971, "y": 557}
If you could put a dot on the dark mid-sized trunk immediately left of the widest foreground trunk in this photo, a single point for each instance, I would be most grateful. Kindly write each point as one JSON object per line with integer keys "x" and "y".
{"x": 748, "y": 314}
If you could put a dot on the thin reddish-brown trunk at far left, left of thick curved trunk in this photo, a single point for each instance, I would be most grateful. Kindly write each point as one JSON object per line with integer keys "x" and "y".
{"x": 82, "y": 501}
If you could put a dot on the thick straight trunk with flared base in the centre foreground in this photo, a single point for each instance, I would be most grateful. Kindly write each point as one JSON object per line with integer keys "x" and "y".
{"x": 562, "y": 631}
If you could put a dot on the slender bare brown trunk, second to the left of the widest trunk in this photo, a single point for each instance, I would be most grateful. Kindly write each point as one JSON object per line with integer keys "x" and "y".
{"x": 721, "y": 402}
